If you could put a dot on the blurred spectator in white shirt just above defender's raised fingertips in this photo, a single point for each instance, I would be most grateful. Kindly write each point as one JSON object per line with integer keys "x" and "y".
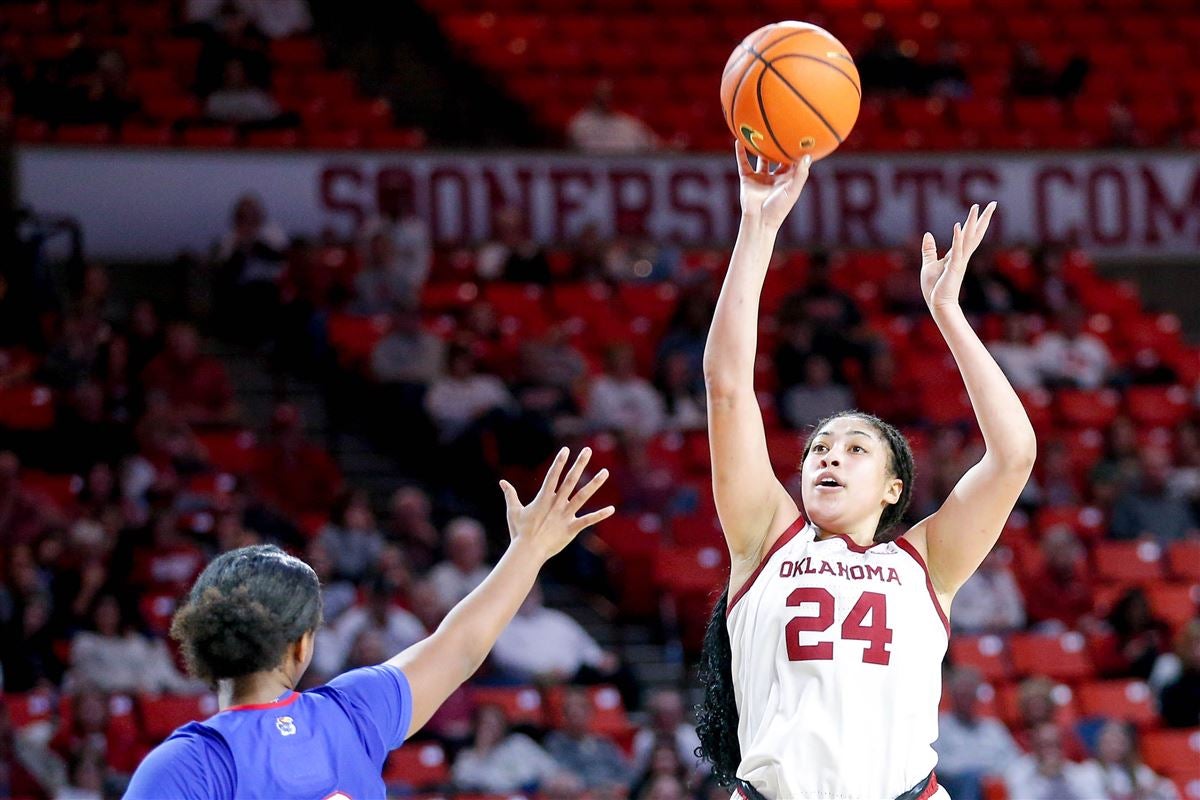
{"x": 622, "y": 401}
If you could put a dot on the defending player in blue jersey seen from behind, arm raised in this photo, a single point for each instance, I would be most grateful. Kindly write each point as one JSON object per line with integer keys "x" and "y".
{"x": 249, "y": 624}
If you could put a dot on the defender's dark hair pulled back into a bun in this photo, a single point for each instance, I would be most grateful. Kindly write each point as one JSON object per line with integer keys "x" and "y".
{"x": 245, "y": 610}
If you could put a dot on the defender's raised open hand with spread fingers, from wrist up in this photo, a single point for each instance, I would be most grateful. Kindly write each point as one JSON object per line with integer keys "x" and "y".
{"x": 549, "y": 524}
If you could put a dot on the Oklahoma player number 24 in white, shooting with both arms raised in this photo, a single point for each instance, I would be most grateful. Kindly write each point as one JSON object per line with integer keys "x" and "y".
{"x": 823, "y": 663}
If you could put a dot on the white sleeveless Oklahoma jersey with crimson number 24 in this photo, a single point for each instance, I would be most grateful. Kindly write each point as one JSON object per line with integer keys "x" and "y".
{"x": 837, "y": 670}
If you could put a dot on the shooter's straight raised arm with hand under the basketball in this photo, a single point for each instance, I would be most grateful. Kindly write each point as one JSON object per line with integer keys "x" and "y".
{"x": 751, "y": 501}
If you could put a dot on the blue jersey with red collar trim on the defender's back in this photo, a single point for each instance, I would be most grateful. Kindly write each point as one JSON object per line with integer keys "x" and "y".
{"x": 328, "y": 743}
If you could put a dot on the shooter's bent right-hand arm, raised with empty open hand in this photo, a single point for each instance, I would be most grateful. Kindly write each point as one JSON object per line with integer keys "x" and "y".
{"x": 962, "y": 533}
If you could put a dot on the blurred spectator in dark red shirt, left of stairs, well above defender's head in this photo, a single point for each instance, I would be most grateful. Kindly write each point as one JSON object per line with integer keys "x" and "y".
{"x": 195, "y": 383}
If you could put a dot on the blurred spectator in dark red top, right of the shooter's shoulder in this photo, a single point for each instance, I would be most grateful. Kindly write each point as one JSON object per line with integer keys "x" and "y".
{"x": 1059, "y": 594}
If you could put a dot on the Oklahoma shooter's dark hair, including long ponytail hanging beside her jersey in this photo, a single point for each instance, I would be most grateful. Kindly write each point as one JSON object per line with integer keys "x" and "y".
{"x": 717, "y": 717}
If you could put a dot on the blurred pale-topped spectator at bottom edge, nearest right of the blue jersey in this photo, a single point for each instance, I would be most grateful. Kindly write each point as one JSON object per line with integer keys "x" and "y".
{"x": 500, "y": 761}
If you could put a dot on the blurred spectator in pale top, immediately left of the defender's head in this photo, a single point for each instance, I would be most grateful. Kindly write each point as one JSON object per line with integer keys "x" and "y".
{"x": 115, "y": 658}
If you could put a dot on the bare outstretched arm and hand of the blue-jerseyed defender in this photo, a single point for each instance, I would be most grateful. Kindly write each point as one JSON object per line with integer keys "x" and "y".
{"x": 439, "y": 665}
